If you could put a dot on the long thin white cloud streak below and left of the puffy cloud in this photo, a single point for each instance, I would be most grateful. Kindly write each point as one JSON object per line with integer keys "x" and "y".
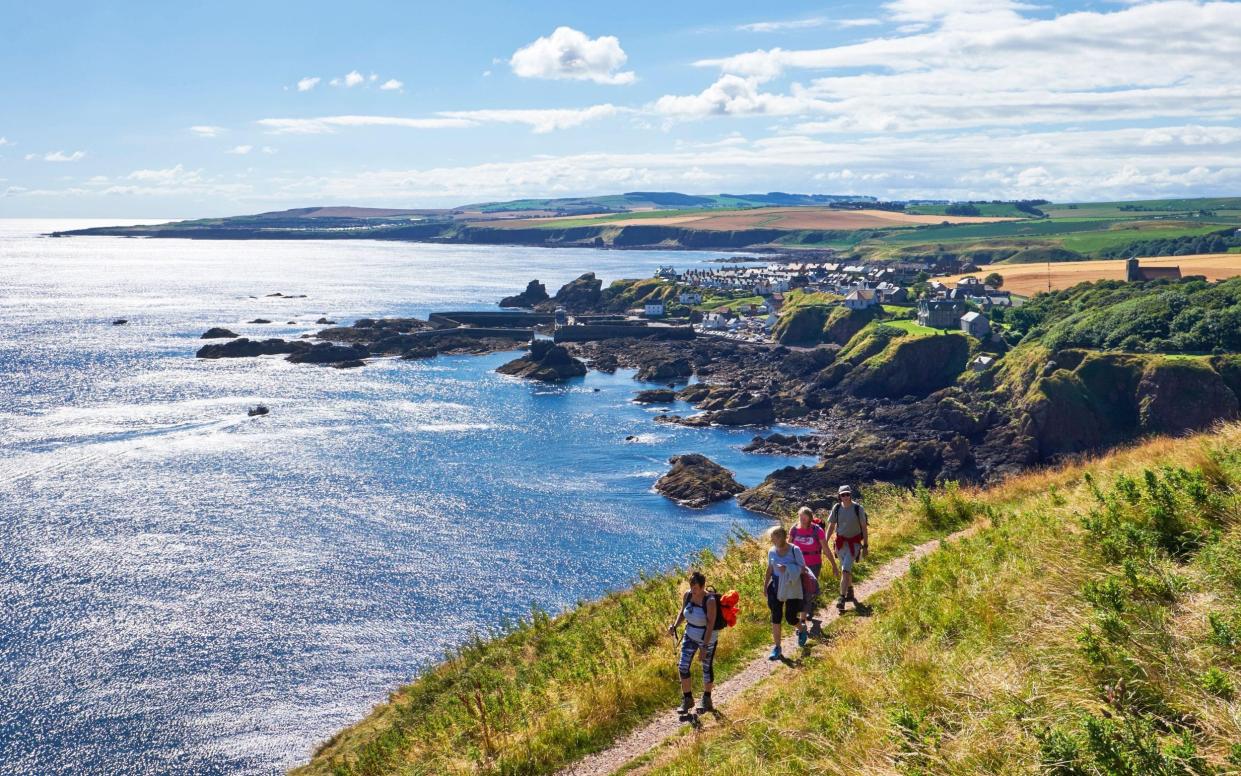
{"x": 540, "y": 121}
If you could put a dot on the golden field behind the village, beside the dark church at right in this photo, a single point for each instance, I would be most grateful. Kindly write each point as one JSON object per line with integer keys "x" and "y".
{"x": 1028, "y": 280}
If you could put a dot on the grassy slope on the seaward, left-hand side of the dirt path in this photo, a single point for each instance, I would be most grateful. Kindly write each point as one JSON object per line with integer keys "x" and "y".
{"x": 550, "y": 690}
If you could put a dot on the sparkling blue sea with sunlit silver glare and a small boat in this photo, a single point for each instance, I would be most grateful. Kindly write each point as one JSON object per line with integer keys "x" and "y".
{"x": 189, "y": 590}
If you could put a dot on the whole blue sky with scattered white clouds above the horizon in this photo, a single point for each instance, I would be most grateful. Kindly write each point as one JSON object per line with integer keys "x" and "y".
{"x": 187, "y": 110}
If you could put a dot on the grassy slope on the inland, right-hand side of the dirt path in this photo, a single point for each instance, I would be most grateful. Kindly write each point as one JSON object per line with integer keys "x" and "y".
{"x": 1093, "y": 629}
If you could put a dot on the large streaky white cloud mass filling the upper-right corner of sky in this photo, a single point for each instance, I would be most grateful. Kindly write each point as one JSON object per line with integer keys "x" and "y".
{"x": 981, "y": 63}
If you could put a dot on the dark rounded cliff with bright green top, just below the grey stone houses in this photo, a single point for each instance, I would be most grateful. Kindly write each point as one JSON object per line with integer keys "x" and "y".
{"x": 910, "y": 367}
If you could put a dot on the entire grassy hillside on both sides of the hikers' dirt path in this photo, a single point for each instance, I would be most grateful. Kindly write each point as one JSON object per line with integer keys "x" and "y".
{"x": 1042, "y": 645}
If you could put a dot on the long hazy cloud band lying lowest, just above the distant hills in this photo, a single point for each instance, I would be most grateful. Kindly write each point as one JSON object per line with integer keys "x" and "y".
{"x": 1058, "y": 165}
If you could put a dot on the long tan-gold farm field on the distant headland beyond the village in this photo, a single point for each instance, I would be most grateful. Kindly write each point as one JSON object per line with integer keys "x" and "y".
{"x": 791, "y": 219}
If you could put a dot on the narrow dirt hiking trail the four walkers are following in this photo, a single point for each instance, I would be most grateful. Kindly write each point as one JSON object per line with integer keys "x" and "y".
{"x": 668, "y": 724}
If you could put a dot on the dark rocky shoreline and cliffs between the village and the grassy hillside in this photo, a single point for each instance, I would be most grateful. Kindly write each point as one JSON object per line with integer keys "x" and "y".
{"x": 887, "y": 408}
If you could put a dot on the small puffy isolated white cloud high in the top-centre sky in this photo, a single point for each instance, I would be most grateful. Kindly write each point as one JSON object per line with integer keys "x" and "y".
{"x": 569, "y": 54}
